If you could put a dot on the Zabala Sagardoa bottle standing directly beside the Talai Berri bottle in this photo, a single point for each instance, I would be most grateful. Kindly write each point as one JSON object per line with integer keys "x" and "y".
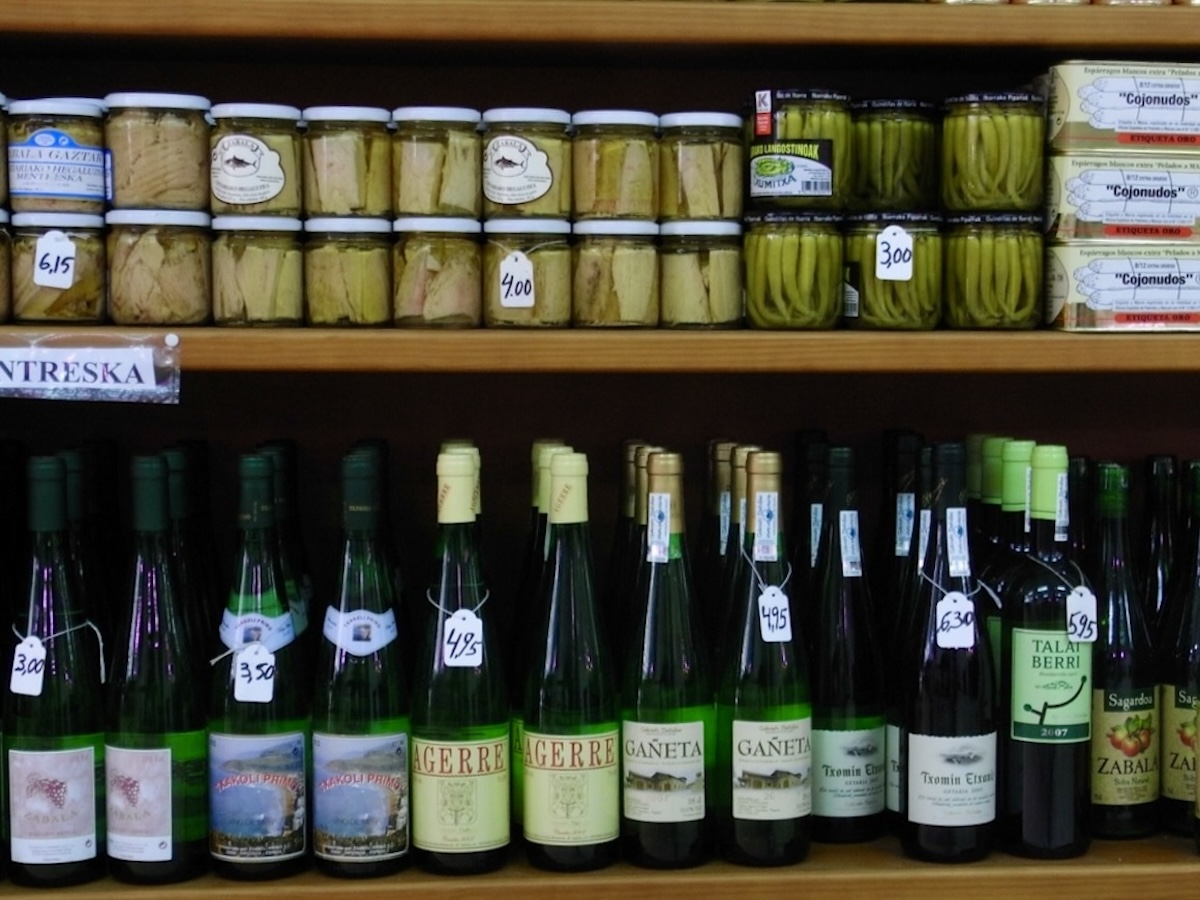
{"x": 1125, "y": 698}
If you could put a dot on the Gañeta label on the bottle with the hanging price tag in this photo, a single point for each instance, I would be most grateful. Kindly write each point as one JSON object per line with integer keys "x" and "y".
{"x": 772, "y": 770}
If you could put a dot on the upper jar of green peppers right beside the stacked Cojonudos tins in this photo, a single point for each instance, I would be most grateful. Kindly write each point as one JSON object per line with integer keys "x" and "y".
{"x": 993, "y": 153}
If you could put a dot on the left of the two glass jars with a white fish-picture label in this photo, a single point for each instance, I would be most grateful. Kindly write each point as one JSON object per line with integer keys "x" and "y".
{"x": 256, "y": 160}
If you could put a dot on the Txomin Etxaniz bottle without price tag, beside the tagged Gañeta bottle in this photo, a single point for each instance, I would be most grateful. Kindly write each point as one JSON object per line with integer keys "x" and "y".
{"x": 849, "y": 751}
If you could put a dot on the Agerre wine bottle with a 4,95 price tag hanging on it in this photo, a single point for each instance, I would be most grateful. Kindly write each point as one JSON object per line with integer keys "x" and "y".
{"x": 460, "y": 703}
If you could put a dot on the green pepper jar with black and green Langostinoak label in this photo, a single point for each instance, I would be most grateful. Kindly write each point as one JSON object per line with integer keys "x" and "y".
{"x": 802, "y": 151}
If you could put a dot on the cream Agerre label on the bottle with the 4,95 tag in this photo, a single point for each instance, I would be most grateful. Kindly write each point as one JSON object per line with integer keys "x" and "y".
{"x": 461, "y": 794}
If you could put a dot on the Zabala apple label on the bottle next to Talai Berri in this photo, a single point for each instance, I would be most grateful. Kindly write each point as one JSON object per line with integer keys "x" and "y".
{"x": 1125, "y": 752}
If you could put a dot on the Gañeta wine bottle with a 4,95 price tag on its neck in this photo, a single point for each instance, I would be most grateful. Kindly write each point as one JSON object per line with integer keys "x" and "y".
{"x": 765, "y": 713}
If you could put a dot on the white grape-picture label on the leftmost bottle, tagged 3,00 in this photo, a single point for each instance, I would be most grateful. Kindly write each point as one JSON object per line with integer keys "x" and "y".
{"x": 52, "y": 805}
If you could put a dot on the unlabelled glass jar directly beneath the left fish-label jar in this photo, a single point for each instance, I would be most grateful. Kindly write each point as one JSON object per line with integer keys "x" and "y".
{"x": 257, "y": 272}
